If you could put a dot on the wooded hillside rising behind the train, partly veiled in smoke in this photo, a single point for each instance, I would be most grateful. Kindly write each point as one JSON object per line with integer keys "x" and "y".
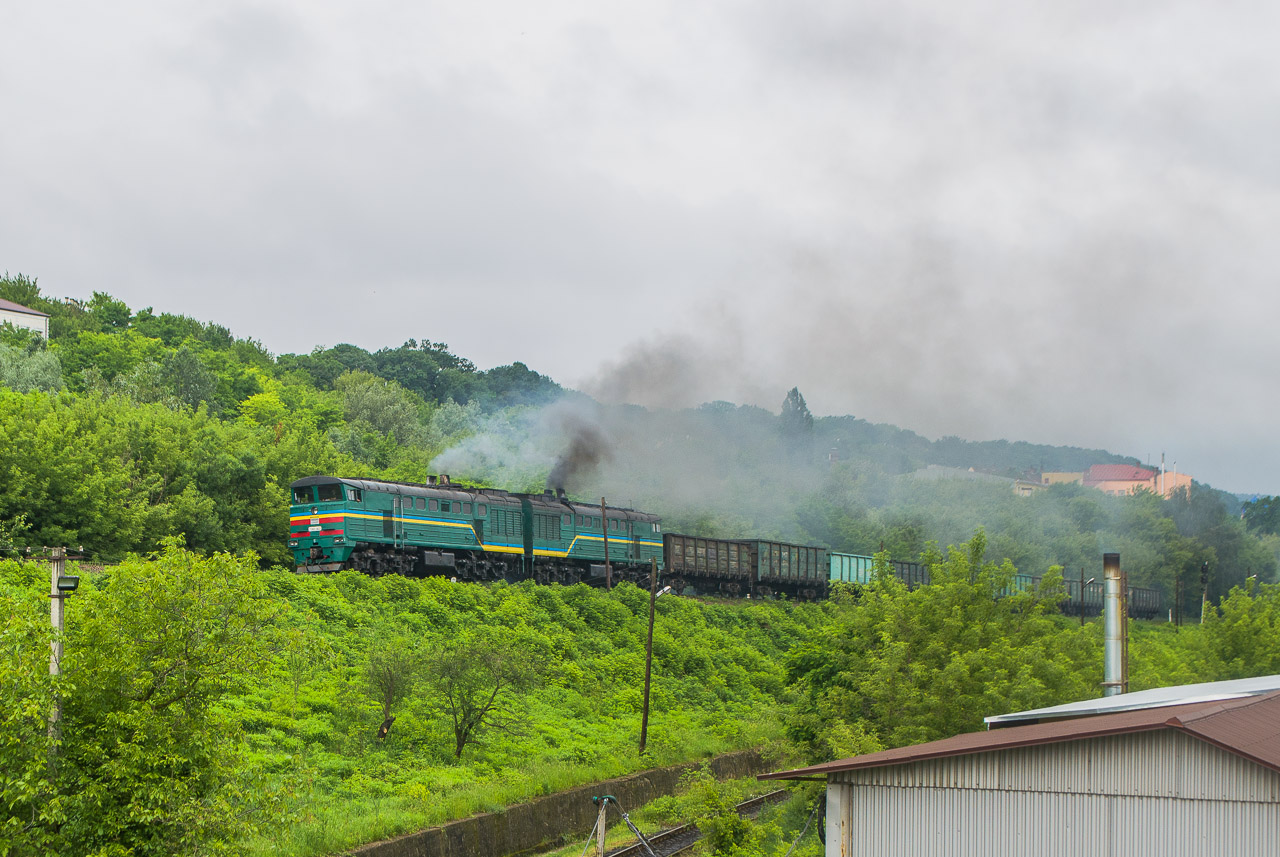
{"x": 132, "y": 427}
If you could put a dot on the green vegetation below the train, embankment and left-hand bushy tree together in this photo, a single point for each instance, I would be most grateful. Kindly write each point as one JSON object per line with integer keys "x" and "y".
{"x": 216, "y": 708}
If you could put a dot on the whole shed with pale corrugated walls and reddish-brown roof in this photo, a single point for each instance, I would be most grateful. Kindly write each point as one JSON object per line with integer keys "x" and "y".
{"x": 1171, "y": 773}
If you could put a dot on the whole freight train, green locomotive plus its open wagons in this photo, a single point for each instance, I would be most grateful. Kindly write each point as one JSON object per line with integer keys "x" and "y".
{"x": 472, "y": 534}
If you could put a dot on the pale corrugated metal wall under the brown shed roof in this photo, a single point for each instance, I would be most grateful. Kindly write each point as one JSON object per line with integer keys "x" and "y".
{"x": 1156, "y": 795}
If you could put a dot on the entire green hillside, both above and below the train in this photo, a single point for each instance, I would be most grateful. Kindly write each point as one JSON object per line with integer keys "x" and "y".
{"x": 216, "y": 703}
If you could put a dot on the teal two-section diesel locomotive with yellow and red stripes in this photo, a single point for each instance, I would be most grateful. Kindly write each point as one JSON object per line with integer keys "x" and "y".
{"x": 470, "y": 534}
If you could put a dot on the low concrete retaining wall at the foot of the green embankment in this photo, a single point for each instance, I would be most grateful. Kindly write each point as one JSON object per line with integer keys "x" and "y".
{"x": 548, "y": 821}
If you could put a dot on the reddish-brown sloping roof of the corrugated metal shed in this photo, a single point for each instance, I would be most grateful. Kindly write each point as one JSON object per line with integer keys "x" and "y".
{"x": 1249, "y": 727}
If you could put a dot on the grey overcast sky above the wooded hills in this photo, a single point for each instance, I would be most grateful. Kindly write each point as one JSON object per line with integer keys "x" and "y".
{"x": 1037, "y": 222}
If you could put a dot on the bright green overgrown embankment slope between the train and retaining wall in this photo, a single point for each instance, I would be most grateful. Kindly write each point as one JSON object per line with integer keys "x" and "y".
{"x": 719, "y": 684}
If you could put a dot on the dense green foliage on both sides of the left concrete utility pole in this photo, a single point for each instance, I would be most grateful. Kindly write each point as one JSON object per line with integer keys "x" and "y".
{"x": 149, "y": 760}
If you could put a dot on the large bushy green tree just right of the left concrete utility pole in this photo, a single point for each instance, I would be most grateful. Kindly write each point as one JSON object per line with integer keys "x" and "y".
{"x": 150, "y": 760}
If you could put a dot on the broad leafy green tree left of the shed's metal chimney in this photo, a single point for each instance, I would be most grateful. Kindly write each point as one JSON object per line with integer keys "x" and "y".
{"x": 968, "y": 639}
